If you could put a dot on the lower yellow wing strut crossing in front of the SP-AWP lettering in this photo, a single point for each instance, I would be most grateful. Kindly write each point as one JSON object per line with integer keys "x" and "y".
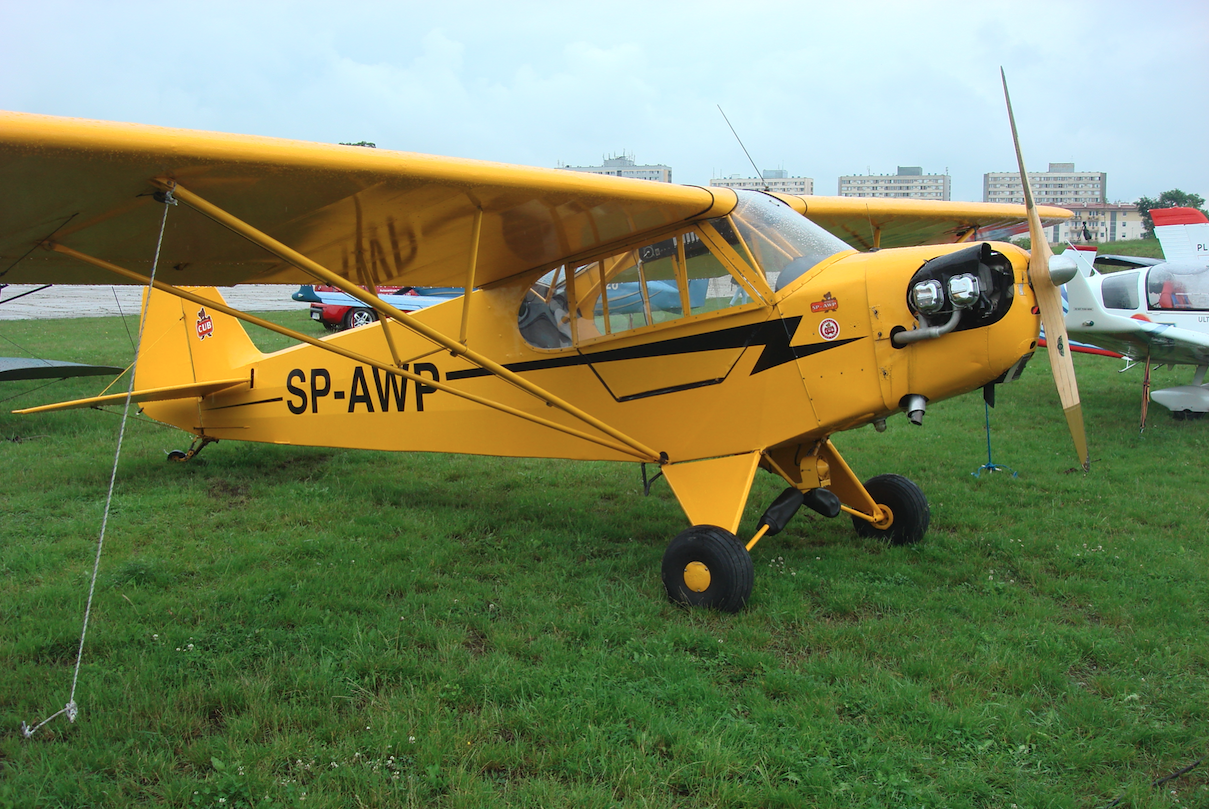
{"x": 337, "y": 350}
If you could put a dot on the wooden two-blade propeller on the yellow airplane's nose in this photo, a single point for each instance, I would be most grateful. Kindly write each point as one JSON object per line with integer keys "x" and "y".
{"x": 1050, "y": 304}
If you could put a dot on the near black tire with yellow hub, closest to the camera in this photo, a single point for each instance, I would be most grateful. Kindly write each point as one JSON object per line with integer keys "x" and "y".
{"x": 728, "y": 564}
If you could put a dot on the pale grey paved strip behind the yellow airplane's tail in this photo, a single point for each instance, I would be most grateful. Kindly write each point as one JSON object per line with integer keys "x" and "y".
{"x": 112, "y": 302}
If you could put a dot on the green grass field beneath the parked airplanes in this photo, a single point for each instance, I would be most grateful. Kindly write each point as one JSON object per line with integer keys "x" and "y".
{"x": 325, "y": 628}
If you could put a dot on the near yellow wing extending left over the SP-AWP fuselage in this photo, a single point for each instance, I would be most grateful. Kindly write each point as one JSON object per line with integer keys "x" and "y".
{"x": 375, "y": 217}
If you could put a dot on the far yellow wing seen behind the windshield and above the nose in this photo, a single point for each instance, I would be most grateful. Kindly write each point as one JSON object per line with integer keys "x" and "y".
{"x": 884, "y": 223}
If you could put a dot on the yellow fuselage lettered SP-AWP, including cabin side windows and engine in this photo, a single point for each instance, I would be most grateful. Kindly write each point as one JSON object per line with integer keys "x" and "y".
{"x": 780, "y": 354}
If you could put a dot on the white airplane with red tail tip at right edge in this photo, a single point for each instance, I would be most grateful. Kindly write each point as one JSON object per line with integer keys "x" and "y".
{"x": 1153, "y": 311}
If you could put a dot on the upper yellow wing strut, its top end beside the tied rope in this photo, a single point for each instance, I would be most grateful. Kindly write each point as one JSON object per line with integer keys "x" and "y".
{"x": 455, "y": 348}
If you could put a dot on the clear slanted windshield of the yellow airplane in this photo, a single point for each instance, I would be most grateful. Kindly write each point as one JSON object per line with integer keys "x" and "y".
{"x": 782, "y": 242}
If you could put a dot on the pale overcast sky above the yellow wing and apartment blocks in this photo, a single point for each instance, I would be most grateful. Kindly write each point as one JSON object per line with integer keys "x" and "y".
{"x": 818, "y": 89}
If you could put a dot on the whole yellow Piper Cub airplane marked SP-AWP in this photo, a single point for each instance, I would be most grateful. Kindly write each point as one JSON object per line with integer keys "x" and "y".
{"x": 768, "y": 334}
